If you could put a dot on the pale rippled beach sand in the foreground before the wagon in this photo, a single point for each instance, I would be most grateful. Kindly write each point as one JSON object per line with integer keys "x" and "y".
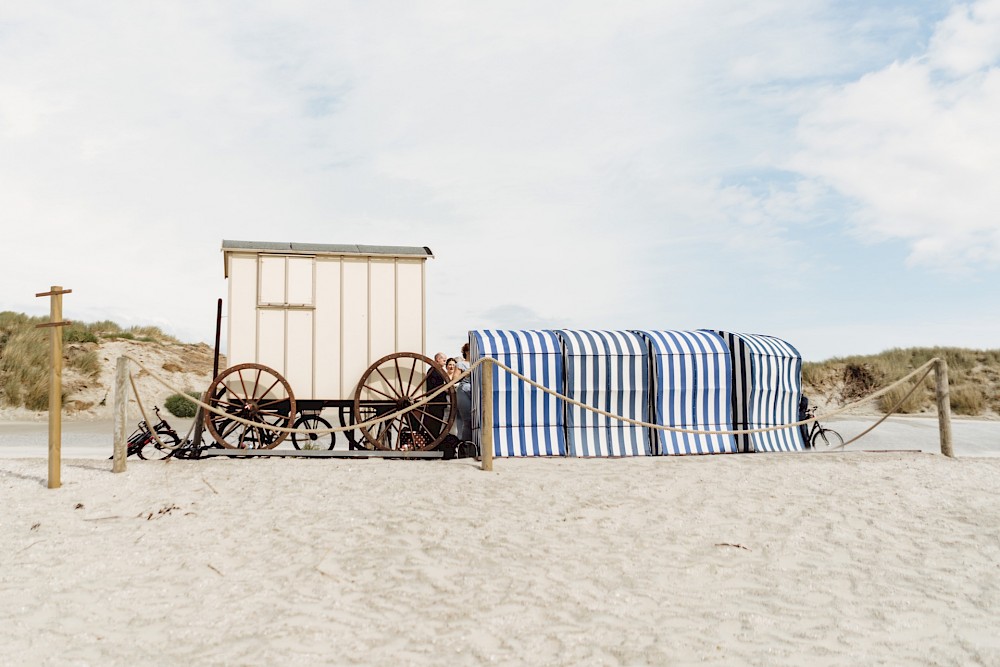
{"x": 786, "y": 559}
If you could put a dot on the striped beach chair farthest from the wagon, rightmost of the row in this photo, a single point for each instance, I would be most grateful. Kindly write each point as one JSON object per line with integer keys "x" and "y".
{"x": 767, "y": 386}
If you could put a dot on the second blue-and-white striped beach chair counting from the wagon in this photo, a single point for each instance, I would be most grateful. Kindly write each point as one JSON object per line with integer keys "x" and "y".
{"x": 608, "y": 370}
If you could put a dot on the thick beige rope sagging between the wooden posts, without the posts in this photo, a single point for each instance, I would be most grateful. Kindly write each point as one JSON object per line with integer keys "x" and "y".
{"x": 571, "y": 401}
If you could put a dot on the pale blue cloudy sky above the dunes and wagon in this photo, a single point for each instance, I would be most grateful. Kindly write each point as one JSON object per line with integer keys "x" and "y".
{"x": 824, "y": 172}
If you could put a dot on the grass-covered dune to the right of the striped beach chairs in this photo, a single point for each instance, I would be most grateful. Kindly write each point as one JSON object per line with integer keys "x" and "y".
{"x": 973, "y": 379}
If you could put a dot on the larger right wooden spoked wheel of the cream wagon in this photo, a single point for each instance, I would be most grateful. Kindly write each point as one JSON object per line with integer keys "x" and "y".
{"x": 397, "y": 381}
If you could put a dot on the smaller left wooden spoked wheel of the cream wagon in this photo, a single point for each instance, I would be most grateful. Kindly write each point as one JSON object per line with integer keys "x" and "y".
{"x": 253, "y": 392}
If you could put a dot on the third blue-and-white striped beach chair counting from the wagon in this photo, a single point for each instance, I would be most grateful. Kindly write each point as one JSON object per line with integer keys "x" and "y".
{"x": 693, "y": 387}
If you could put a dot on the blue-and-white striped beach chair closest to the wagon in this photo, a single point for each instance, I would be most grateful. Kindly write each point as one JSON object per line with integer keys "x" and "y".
{"x": 526, "y": 420}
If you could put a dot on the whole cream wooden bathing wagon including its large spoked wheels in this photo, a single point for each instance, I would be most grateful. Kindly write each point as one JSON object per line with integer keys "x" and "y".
{"x": 320, "y": 333}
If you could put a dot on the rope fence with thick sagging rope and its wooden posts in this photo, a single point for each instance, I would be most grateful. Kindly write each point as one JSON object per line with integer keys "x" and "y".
{"x": 934, "y": 364}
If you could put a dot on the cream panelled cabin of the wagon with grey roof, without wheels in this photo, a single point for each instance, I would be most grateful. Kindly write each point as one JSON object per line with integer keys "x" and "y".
{"x": 321, "y": 314}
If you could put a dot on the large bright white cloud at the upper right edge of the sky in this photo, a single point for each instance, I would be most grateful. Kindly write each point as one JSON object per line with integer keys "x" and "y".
{"x": 917, "y": 145}
